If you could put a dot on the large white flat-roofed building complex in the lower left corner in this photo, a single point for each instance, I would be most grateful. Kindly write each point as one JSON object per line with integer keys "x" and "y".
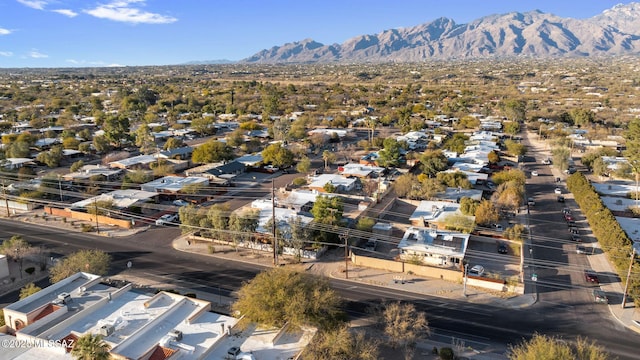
{"x": 134, "y": 325}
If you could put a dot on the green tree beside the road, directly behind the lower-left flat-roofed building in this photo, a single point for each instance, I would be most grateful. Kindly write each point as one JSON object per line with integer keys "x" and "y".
{"x": 89, "y": 261}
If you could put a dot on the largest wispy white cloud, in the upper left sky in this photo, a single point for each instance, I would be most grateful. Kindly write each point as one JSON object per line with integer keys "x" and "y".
{"x": 125, "y": 11}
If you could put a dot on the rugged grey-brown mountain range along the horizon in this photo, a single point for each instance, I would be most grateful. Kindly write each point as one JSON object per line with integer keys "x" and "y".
{"x": 532, "y": 34}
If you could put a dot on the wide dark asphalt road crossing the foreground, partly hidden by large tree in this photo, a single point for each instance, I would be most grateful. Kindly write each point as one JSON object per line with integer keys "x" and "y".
{"x": 480, "y": 326}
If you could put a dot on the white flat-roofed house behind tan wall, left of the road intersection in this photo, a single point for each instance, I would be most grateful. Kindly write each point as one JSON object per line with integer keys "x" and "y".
{"x": 433, "y": 247}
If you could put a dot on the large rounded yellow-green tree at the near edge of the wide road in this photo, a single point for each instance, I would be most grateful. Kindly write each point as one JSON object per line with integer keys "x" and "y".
{"x": 281, "y": 295}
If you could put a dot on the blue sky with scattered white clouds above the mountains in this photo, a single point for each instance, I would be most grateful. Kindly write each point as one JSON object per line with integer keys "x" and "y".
{"x": 80, "y": 33}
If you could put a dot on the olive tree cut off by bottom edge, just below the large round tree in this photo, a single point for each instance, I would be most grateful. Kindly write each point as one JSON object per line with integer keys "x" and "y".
{"x": 341, "y": 344}
